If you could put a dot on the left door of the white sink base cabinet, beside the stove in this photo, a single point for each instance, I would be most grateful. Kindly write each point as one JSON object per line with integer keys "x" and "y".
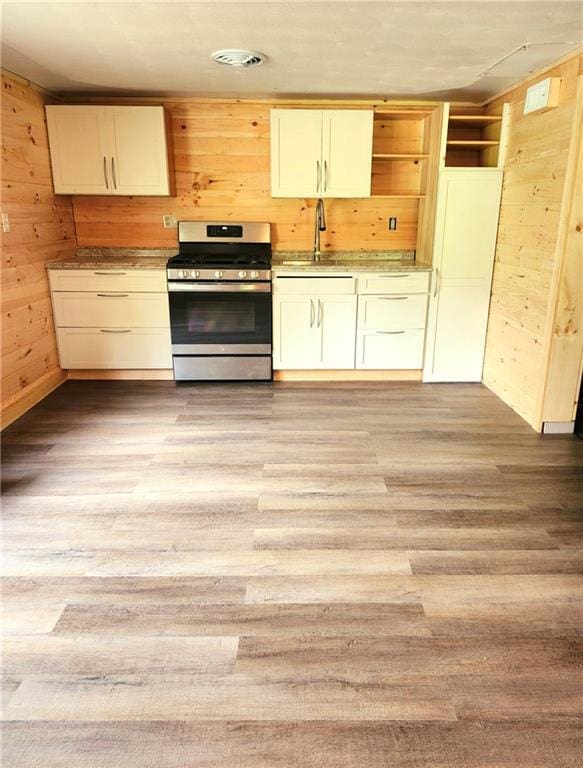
{"x": 294, "y": 331}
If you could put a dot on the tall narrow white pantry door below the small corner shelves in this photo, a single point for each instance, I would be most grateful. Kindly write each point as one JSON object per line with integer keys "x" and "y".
{"x": 468, "y": 204}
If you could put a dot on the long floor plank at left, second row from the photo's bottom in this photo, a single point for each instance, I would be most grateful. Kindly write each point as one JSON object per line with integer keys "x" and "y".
{"x": 231, "y": 697}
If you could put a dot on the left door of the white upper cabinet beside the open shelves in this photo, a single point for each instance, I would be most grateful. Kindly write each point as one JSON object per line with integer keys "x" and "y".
{"x": 296, "y": 152}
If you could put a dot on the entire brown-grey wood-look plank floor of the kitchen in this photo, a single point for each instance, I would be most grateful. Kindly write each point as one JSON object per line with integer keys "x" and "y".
{"x": 290, "y": 576}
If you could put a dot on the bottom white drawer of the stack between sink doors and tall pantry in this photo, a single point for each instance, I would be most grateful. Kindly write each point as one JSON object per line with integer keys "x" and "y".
{"x": 398, "y": 350}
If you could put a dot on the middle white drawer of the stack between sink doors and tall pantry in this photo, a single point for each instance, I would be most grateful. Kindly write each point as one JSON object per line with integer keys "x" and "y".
{"x": 392, "y": 313}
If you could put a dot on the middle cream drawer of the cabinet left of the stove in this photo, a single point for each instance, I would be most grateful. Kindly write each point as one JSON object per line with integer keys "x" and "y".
{"x": 111, "y": 309}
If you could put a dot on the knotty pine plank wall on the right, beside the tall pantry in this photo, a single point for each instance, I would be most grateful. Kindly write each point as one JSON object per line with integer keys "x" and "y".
{"x": 526, "y": 251}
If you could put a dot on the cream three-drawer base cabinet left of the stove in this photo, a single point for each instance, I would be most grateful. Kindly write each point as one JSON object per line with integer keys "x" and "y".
{"x": 108, "y": 319}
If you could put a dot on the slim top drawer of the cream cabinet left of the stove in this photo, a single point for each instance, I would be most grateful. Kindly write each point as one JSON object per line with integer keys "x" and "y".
{"x": 121, "y": 280}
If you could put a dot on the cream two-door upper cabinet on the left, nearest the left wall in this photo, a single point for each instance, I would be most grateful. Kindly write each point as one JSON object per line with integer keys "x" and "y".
{"x": 108, "y": 150}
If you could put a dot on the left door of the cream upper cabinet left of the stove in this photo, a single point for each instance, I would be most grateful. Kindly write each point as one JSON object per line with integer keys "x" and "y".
{"x": 80, "y": 150}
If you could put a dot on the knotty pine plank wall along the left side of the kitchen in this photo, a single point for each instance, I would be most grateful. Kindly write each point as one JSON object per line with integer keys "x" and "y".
{"x": 42, "y": 228}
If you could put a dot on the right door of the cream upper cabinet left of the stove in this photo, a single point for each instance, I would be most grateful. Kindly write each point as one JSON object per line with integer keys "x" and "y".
{"x": 139, "y": 157}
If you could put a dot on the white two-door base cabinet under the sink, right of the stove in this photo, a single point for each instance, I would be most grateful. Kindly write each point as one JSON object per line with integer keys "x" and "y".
{"x": 314, "y": 322}
